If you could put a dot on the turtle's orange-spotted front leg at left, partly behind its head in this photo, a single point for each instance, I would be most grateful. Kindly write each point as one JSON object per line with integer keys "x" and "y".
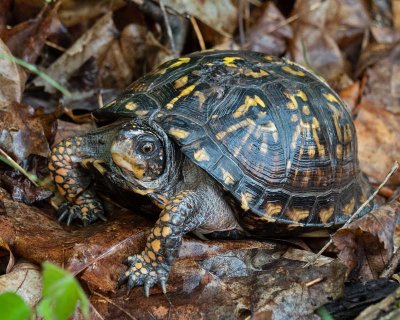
{"x": 73, "y": 183}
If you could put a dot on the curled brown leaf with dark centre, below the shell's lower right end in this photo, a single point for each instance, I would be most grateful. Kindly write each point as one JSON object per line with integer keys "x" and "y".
{"x": 366, "y": 245}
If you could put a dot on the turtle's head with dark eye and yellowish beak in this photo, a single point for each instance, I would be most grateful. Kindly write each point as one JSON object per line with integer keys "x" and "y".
{"x": 138, "y": 150}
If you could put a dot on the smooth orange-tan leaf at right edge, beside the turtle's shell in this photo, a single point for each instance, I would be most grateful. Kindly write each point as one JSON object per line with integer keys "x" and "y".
{"x": 378, "y": 133}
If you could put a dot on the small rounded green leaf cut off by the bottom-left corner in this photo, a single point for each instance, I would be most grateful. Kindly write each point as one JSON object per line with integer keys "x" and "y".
{"x": 13, "y": 307}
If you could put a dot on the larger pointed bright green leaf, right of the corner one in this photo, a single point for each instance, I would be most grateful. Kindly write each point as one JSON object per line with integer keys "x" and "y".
{"x": 61, "y": 294}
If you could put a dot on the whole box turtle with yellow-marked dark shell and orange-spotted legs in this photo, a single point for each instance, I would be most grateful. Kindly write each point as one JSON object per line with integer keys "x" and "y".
{"x": 226, "y": 143}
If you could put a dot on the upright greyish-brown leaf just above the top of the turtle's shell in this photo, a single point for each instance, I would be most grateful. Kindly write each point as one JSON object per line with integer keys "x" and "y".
{"x": 264, "y": 38}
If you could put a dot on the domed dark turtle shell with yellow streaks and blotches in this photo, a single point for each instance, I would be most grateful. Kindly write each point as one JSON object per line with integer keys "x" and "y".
{"x": 273, "y": 134}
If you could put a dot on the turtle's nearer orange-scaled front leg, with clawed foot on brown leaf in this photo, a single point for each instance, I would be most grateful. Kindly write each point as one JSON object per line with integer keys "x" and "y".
{"x": 180, "y": 216}
